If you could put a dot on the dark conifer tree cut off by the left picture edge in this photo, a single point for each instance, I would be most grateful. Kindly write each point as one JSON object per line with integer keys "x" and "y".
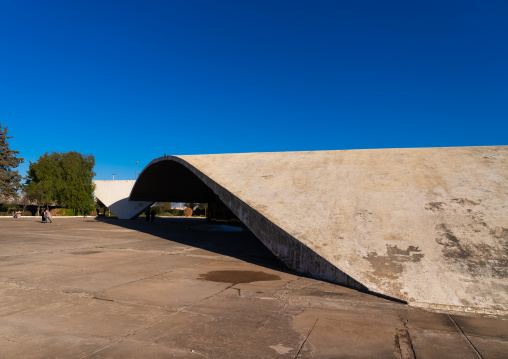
{"x": 10, "y": 180}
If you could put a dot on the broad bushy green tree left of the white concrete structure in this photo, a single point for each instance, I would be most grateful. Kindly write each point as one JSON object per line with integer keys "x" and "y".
{"x": 64, "y": 179}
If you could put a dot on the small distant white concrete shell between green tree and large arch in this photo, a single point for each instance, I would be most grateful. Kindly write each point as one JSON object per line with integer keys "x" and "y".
{"x": 115, "y": 195}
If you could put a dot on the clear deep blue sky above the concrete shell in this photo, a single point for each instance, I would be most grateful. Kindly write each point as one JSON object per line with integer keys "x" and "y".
{"x": 130, "y": 81}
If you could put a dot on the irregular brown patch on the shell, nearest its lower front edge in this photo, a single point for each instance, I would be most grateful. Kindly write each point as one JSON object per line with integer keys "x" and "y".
{"x": 391, "y": 265}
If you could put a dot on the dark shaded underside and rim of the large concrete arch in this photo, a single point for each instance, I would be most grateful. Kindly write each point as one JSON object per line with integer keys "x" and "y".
{"x": 172, "y": 179}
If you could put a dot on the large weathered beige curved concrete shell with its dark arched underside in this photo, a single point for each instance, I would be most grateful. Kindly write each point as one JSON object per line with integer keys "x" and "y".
{"x": 428, "y": 226}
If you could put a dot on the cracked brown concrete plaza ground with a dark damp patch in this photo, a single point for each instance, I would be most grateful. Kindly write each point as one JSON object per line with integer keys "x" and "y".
{"x": 81, "y": 288}
